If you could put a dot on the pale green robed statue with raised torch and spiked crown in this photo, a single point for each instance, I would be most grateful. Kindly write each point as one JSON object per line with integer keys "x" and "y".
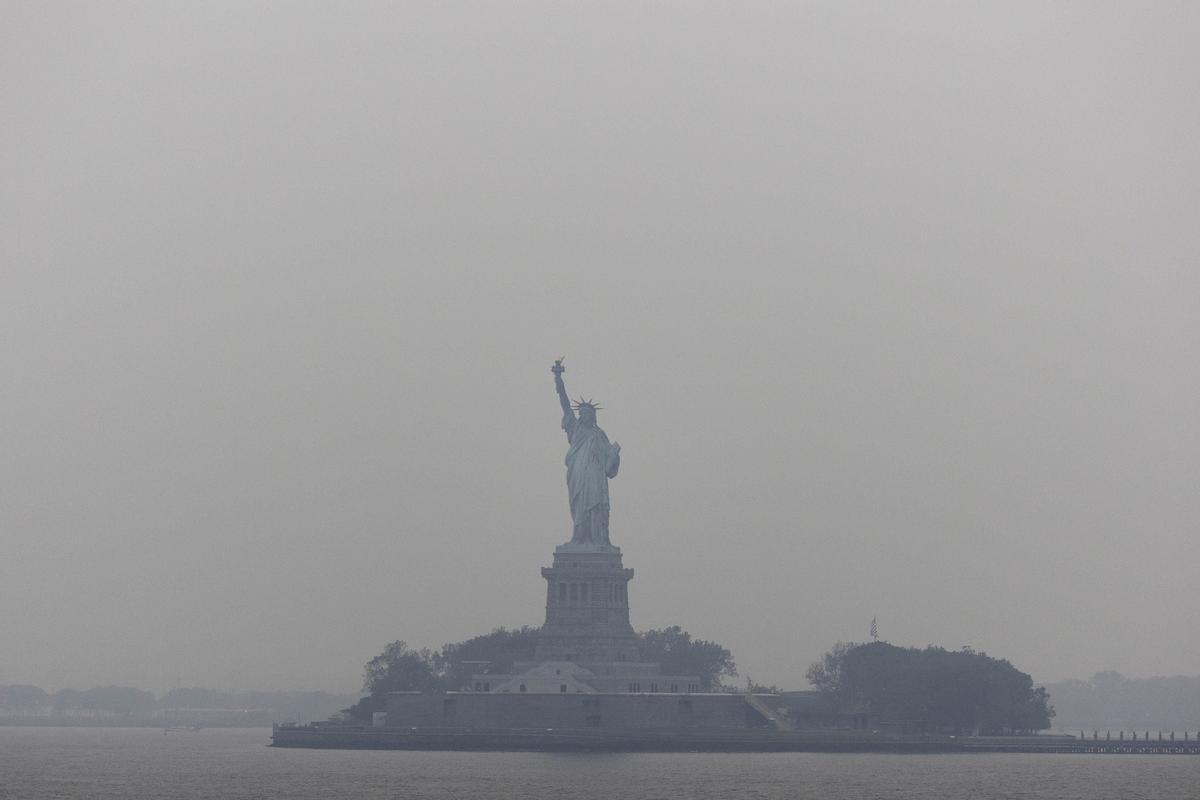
{"x": 591, "y": 462}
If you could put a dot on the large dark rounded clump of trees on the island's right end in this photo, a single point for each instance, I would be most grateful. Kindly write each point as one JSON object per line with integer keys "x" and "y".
{"x": 933, "y": 689}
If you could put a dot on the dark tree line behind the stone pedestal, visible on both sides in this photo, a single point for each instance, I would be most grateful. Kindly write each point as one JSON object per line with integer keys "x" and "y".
{"x": 401, "y": 669}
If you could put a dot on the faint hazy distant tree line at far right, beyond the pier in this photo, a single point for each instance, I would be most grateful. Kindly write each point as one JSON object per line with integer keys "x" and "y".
{"x": 1111, "y": 701}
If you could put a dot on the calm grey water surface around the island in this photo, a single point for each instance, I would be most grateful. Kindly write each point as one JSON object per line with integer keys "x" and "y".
{"x": 143, "y": 763}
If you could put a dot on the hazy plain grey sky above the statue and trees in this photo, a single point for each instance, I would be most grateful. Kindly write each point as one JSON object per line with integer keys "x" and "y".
{"x": 892, "y": 308}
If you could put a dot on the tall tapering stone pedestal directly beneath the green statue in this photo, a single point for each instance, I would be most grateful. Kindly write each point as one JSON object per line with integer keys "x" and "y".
{"x": 587, "y": 607}
